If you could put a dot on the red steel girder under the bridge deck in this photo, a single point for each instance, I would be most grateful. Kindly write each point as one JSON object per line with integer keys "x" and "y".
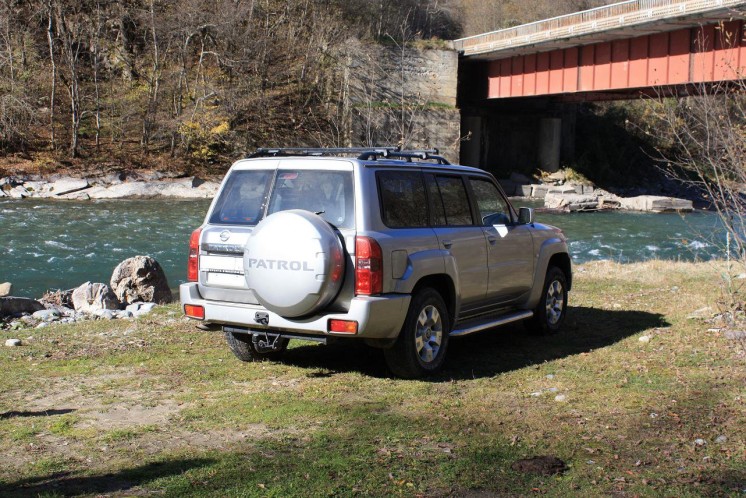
{"x": 689, "y": 56}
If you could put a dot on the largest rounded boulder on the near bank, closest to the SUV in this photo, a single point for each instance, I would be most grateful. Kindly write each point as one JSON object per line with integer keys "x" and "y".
{"x": 140, "y": 279}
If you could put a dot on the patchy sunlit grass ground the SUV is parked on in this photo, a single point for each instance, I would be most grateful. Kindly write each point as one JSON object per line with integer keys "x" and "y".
{"x": 156, "y": 406}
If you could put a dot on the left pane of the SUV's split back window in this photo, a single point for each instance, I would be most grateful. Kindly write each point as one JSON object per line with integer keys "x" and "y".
{"x": 242, "y": 199}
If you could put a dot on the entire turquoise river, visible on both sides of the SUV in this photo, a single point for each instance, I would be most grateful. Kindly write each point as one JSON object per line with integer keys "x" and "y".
{"x": 59, "y": 245}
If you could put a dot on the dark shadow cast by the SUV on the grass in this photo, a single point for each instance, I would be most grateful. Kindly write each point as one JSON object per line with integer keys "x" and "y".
{"x": 494, "y": 351}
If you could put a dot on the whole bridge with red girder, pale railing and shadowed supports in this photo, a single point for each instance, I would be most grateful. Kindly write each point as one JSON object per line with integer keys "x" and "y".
{"x": 518, "y": 87}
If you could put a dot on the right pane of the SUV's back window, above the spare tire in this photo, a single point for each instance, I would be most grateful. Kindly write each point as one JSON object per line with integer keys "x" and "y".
{"x": 328, "y": 193}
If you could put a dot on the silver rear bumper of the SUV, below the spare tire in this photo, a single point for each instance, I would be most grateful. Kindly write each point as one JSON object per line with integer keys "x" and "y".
{"x": 378, "y": 317}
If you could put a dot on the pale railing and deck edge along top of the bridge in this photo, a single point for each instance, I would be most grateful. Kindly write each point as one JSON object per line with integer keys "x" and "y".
{"x": 618, "y": 15}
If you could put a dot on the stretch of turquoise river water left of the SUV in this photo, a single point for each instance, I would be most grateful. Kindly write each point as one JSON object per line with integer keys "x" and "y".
{"x": 59, "y": 245}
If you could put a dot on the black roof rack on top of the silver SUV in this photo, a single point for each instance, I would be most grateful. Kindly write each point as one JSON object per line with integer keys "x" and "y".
{"x": 363, "y": 153}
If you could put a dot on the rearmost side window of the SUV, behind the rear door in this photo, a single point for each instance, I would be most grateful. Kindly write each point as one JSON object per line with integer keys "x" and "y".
{"x": 403, "y": 200}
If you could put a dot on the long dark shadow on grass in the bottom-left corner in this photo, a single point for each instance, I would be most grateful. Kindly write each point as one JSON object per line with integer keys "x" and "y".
{"x": 67, "y": 484}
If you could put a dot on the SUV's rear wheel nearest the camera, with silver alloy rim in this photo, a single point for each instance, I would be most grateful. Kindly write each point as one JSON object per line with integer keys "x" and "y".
{"x": 422, "y": 343}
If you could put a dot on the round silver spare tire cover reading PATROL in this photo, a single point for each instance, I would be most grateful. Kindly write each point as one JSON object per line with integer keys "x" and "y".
{"x": 294, "y": 263}
